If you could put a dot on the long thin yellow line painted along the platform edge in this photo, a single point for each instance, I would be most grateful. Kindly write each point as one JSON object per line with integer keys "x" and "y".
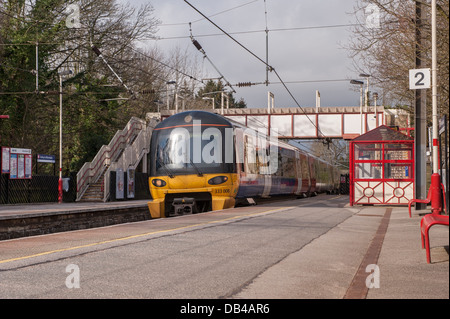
{"x": 140, "y": 235}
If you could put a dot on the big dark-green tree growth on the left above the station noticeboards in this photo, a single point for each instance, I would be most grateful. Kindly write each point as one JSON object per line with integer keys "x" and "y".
{"x": 95, "y": 102}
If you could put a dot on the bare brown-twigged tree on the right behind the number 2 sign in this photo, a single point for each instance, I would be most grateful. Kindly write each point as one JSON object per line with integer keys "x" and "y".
{"x": 387, "y": 51}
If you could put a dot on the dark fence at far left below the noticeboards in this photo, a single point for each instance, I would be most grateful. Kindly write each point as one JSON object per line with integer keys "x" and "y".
{"x": 39, "y": 189}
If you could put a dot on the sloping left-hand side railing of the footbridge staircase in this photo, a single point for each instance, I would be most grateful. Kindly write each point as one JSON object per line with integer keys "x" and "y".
{"x": 91, "y": 171}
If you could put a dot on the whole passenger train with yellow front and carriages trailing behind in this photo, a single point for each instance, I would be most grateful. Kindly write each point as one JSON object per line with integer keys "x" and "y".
{"x": 200, "y": 161}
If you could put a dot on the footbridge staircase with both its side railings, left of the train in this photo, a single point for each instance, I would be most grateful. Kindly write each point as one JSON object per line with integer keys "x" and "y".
{"x": 126, "y": 150}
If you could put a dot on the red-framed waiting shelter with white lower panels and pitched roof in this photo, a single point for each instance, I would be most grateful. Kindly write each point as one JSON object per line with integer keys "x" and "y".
{"x": 382, "y": 168}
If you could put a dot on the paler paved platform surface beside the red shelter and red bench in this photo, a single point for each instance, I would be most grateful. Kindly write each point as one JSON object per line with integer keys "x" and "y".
{"x": 396, "y": 268}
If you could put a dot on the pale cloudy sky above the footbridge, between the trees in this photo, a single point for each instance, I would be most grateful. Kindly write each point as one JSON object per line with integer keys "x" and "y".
{"x": 315, "y": 51}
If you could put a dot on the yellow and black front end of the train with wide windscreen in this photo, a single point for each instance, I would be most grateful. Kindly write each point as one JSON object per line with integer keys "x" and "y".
{"x": 192, "y": 165}
